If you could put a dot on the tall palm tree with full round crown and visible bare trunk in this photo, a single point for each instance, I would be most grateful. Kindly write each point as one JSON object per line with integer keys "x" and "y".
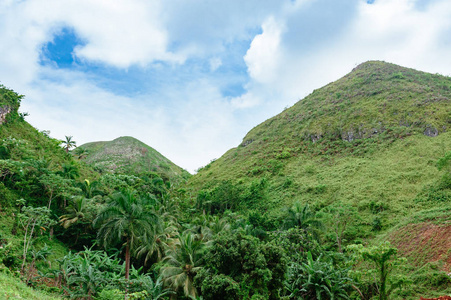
{"x": 125, "y": 219}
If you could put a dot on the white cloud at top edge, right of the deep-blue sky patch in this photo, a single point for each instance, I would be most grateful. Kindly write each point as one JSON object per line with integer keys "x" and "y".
{"x": 120, "y": 33}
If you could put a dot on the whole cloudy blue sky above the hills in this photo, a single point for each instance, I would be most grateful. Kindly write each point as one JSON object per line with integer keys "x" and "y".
{"x": 191, "y": 78}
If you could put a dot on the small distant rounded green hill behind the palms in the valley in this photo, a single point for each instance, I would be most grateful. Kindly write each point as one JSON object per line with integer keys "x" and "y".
{"x": 127, "y": 155}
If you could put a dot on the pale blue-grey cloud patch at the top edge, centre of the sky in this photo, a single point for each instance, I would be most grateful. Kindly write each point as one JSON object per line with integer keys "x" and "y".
{"x": 204, "y": 27}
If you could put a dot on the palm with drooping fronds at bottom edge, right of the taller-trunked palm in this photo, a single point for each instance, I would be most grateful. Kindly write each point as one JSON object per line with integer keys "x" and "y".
{"x": 182, "y": 264}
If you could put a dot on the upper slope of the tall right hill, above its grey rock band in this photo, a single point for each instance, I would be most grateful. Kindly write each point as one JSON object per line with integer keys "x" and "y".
{"x": 374, "y": 98}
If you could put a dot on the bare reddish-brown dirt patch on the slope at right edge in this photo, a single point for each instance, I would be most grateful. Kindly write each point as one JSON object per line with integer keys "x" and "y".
{"x": 423, "y": 243}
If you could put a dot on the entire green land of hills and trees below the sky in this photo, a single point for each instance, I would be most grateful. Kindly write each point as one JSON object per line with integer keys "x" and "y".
{"x": 345, "y": 195}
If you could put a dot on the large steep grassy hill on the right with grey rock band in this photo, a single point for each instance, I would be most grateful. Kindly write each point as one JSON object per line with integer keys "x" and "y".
{"x": 370, "y": 139}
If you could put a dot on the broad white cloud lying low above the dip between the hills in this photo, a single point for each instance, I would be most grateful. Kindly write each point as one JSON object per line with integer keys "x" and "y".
{"x": 190, "y": 125}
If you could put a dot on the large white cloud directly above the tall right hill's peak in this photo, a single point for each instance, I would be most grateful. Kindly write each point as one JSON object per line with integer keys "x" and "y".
{"x": 287, "y": 62}
